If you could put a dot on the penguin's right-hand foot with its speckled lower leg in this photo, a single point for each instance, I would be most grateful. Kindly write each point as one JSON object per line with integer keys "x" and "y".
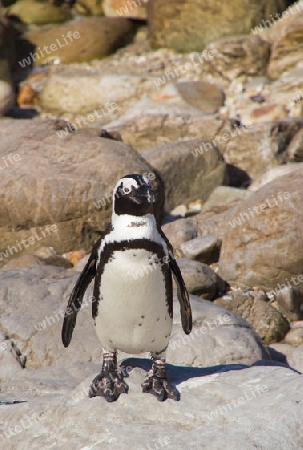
{"x": 156, "y": 383}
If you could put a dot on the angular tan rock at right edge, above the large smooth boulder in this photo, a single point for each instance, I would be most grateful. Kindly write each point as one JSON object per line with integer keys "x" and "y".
{"x": 259, "y": 148}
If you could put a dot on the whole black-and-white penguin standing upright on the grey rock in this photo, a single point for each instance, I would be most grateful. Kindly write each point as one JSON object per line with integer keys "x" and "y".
{"x": 132, "y": 264}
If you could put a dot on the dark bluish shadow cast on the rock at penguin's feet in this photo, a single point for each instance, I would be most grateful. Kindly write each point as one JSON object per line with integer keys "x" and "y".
{"x": 178, "y": 374}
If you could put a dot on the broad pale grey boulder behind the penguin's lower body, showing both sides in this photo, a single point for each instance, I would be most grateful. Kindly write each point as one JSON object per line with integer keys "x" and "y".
{"x": 34, "y": 321}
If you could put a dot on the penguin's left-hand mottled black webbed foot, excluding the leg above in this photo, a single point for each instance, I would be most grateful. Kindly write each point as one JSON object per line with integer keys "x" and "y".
{"x": 108, "y": 386}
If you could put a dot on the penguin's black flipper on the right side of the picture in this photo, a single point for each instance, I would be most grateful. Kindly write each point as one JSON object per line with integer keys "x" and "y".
{"x": 182, "y": 294}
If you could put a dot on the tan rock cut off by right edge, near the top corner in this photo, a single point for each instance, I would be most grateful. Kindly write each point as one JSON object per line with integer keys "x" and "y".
{"x": 287, "y": 46}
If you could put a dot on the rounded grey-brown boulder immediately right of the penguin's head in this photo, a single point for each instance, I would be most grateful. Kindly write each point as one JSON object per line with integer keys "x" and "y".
{"x": 187, "y": 177}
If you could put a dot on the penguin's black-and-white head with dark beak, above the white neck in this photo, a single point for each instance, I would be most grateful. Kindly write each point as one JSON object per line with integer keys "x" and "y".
{"x": 134, "y": 195}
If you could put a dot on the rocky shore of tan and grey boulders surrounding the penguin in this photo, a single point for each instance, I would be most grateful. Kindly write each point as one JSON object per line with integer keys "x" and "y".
{"x": 213, "y": 116}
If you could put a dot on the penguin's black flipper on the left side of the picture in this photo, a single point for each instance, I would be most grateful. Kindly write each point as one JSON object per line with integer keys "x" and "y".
{"x": 76, "y": 297}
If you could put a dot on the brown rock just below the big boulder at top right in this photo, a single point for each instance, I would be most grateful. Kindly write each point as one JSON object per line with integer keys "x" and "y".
{"x": 237, "y": 56}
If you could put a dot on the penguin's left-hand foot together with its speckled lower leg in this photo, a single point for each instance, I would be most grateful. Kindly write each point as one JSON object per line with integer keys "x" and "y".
{"x": 110, "y": 382}
